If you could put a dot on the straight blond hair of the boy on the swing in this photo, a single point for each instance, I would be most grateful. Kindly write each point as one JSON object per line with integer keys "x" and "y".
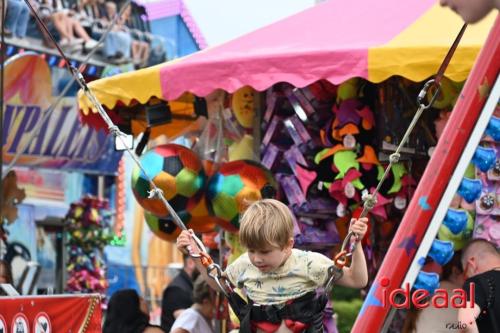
{"x": 266, "y": 222}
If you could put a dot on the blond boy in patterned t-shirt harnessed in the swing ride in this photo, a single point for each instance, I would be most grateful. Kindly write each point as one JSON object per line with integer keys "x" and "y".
{"x": 281, "y": 281}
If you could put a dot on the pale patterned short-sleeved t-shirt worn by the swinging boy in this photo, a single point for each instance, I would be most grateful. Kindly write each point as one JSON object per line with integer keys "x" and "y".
{"x": 303, "y": 271}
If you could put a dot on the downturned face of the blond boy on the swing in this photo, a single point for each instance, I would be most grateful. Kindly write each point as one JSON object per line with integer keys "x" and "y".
{"x": 269, "y": 258}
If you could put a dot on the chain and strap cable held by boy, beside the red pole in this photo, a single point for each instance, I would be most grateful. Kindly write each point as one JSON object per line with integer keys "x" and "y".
{"x": 370, "y": 200}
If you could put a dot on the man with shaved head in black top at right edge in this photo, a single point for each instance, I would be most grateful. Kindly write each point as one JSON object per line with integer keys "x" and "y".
{"x": 481, "y": 263}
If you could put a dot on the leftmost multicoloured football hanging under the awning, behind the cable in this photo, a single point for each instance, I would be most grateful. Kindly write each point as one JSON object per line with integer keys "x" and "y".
{"x": 178, "y": 172}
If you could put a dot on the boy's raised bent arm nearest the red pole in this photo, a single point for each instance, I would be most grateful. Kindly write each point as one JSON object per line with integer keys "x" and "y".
{"x": 356, "y": 276}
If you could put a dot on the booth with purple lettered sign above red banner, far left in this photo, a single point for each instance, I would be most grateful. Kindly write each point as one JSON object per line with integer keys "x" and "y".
{"x": 50, "y": 248}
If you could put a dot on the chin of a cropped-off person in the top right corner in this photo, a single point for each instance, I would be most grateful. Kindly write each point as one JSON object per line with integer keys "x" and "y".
{"x": 471, "y": 11}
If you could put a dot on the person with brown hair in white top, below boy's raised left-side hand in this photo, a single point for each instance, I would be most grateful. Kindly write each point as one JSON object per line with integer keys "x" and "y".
{"x": 198, "y": 318}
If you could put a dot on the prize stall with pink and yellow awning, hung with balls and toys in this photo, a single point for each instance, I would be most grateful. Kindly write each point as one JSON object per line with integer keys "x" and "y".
{"x": 307, "y": 110}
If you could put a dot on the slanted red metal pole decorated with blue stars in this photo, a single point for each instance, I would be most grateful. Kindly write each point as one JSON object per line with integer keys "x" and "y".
{"x": 433, "y": 184}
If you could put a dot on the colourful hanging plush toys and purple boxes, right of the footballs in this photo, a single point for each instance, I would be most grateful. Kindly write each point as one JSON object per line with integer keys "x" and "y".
{"x": 327, "y": 146}
